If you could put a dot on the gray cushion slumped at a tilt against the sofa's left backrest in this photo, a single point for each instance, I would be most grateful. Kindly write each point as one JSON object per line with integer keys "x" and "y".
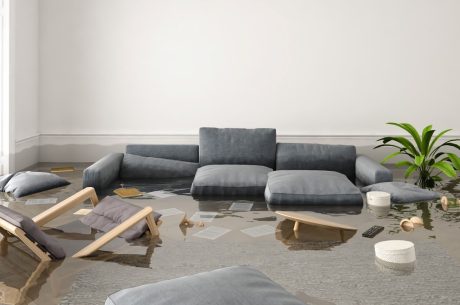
{"x": 137, "y": 167}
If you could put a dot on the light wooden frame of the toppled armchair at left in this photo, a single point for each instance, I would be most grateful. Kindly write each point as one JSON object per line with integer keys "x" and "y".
{"x": 7, "y": 229}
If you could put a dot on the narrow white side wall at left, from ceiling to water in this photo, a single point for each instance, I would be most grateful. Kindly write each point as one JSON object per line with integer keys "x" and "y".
{"x": 24, "y": 62}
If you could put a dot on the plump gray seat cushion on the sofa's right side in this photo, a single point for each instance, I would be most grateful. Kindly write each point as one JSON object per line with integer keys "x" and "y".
{"x": 304, "y": 187}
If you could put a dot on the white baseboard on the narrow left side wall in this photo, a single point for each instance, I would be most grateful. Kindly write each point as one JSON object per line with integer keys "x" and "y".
{"x": 27, "y": 152}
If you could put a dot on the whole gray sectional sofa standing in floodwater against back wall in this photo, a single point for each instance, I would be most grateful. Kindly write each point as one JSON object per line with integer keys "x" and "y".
{"x": 248, "y": 162}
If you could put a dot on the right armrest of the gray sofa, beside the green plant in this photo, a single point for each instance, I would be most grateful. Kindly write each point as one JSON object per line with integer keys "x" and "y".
{"x": 369, "y": 171}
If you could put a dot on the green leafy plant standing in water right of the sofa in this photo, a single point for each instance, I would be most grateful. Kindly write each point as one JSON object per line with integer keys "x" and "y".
{"x": 426, "y": 158}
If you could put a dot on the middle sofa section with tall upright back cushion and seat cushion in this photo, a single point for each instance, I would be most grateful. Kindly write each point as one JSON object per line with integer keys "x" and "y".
{"x": 234, "y": 161}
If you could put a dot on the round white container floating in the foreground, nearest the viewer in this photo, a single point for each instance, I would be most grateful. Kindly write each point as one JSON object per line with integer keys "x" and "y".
{"x": 395, "y": 251}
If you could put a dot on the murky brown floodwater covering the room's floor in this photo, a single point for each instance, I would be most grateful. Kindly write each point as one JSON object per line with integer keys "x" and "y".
{"x": 326, "y": 266}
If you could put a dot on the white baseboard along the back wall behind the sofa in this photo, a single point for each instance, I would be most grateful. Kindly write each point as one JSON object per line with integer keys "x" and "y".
{"x": 91, "y": 147}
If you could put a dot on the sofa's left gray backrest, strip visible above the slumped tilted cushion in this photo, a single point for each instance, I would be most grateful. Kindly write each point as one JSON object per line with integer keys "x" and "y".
{"x": 188, "y": 153}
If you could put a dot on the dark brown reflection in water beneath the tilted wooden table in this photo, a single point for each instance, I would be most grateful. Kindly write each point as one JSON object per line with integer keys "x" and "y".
{"x": 311, "y": 237}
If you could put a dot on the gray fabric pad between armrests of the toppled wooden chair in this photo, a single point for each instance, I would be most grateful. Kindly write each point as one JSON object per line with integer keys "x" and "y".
{"x": 110, "y": 212}
